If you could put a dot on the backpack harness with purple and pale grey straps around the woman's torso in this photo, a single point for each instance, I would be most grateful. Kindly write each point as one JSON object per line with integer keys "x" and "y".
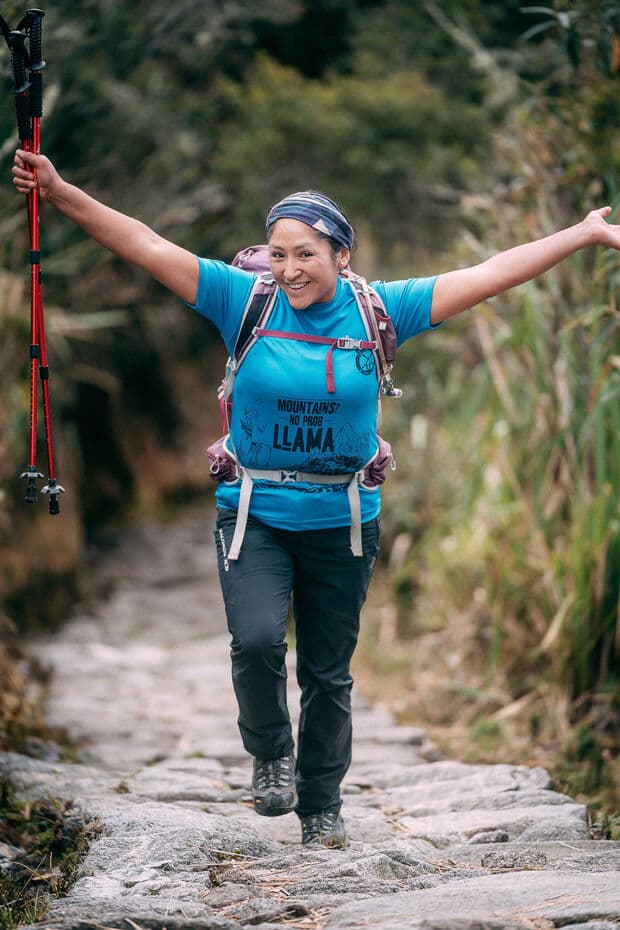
{"x": 224, "y": 464}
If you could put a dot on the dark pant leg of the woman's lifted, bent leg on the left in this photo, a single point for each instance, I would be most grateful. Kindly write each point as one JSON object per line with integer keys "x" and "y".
{"x": 257, "y": 589}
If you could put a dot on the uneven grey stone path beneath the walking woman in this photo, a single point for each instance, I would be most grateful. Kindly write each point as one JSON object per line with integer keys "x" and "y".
{"x": 141, "y": 681}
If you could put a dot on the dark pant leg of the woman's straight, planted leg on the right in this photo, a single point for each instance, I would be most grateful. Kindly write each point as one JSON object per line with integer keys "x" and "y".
{"x": 330, "y": 588}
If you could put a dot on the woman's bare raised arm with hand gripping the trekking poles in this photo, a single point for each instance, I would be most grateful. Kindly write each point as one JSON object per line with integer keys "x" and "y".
{"x": 130, "y": 239}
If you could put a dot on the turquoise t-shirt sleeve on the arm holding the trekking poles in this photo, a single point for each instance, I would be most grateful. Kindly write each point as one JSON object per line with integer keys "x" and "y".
{"x": 222, "y": 294}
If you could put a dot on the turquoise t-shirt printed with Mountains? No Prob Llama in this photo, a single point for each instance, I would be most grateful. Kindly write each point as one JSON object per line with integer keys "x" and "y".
{"x": 283, "y": 416}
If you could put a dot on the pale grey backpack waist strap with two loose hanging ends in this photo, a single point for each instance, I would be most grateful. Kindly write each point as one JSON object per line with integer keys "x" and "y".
{"x": 283, "y": 476}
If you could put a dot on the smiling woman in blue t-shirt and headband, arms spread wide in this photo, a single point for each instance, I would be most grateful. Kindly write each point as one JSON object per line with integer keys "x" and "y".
{"x": 284, "y": 417}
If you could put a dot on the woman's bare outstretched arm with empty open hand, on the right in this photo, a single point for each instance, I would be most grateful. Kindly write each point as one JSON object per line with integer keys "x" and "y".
{"x": 458, "y": 290}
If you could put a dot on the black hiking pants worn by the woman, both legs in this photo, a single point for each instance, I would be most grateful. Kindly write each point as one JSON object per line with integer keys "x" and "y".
{"x": 328, "y": 586}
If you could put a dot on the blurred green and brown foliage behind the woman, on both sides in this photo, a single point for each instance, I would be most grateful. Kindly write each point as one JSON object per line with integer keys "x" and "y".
{"x": 448, "y": 130}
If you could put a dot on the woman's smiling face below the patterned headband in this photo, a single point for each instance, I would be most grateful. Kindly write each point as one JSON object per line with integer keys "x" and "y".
{"x": 304, "y": 265}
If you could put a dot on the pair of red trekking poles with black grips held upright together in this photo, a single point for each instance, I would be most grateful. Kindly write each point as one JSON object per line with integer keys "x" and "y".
{"x": 29, "y": 109}
